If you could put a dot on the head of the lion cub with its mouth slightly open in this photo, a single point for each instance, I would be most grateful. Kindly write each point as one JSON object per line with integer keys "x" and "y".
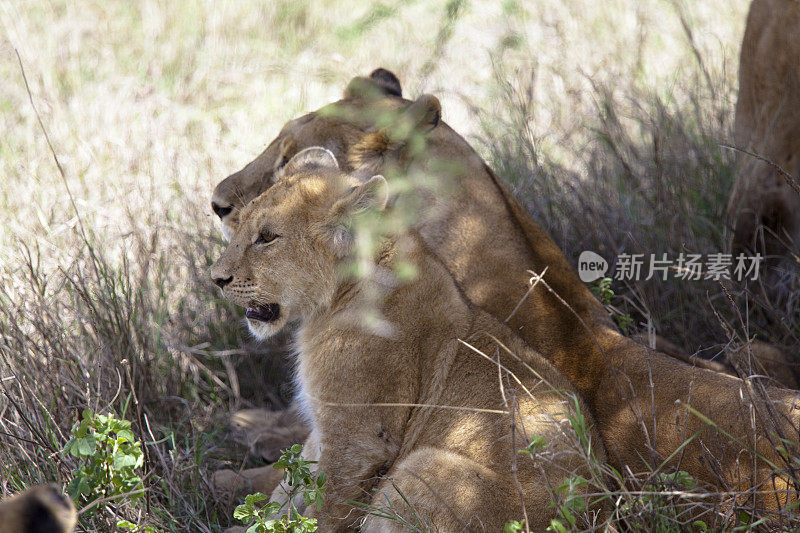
{"x": 282, "y": 261}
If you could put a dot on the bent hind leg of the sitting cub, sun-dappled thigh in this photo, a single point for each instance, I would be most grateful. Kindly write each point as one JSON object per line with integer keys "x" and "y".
{"x": 445, "y": 491}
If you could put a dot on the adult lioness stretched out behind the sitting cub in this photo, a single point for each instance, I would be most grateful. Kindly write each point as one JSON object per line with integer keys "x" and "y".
{"x": 489, "y": 243}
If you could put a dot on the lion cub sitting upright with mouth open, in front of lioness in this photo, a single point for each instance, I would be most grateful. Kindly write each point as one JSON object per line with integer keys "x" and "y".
{"x": 423, "y": 417}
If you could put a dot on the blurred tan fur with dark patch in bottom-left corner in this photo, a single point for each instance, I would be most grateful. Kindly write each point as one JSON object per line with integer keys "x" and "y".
{"x": 42, "y": 509}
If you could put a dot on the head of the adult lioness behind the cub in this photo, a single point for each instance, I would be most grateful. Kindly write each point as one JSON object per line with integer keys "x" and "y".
{"x": 366, "y": 128}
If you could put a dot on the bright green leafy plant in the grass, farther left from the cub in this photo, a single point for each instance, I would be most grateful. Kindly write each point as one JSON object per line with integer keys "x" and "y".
{"x": 111, "y": 457}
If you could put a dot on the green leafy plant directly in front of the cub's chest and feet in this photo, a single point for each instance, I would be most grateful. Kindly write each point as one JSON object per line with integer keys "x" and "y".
{"x": 298, "y": 476}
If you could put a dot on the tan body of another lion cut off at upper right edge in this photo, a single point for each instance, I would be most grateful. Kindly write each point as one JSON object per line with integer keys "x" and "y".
{"x": 763, "y": 207}
